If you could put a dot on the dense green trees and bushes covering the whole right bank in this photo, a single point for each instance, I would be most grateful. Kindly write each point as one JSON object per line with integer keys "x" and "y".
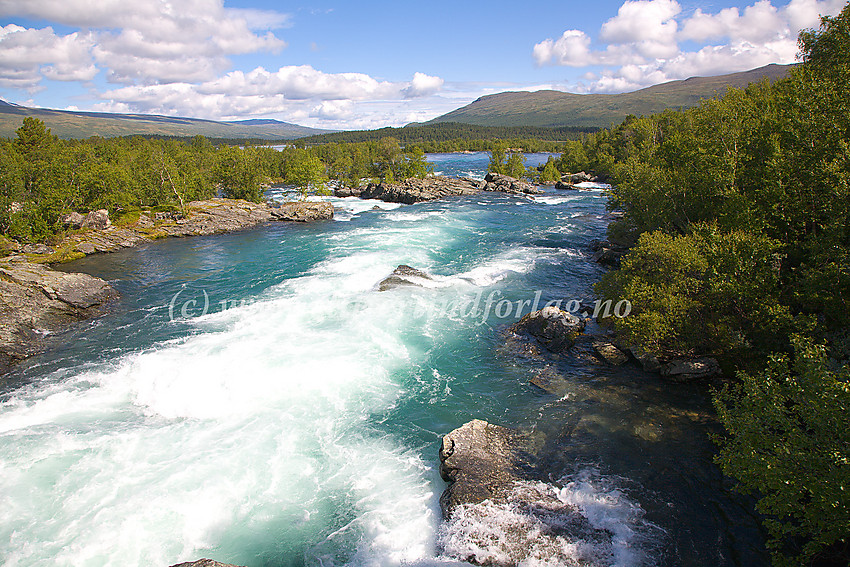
{"x": 736, "y": 216}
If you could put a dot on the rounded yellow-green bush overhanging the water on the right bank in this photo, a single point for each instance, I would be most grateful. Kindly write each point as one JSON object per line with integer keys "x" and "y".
{"x": 708, "y": 292}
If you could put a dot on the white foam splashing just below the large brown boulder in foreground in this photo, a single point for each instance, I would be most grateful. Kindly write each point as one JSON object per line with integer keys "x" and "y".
{"x": 587, "y": 521}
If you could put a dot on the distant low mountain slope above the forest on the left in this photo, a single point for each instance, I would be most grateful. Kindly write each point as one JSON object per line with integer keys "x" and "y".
{"x": 73, "y": 124}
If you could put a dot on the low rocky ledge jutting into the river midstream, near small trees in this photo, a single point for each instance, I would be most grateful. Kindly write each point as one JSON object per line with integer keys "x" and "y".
{"x": 431, "y": 188}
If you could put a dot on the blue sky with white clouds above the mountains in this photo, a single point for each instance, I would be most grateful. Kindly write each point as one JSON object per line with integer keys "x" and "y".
{"x": 366, "y": 65}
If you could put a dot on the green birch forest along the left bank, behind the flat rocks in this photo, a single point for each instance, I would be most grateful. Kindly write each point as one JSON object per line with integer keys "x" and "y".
{"x": 43, "y": 177}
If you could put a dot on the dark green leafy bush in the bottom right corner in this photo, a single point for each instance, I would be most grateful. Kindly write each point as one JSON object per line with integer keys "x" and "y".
{"x": 789, "y": 443}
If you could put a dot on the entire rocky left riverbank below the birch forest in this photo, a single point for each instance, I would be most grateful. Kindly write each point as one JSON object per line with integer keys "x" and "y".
{"x": 37, "y": 302}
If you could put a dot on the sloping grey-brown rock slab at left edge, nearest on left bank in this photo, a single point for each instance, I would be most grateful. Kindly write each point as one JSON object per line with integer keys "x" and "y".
{"x": 36, "y": 302}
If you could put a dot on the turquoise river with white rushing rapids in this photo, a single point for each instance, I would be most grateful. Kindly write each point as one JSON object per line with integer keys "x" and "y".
{"x": 252, "y": 398}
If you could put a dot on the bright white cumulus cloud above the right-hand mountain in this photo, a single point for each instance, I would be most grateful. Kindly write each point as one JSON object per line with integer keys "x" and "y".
{"x": 641, "y": 45}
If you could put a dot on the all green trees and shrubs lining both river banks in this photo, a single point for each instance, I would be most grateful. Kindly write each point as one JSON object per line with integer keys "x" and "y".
{"x": 732, "y": 243}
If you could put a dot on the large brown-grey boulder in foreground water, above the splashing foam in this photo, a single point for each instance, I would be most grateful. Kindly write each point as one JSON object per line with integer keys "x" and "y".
{"x": 481, "y": 461}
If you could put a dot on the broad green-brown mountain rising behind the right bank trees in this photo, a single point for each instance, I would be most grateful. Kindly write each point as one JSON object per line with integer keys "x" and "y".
{"x": 555, "y": 108}
